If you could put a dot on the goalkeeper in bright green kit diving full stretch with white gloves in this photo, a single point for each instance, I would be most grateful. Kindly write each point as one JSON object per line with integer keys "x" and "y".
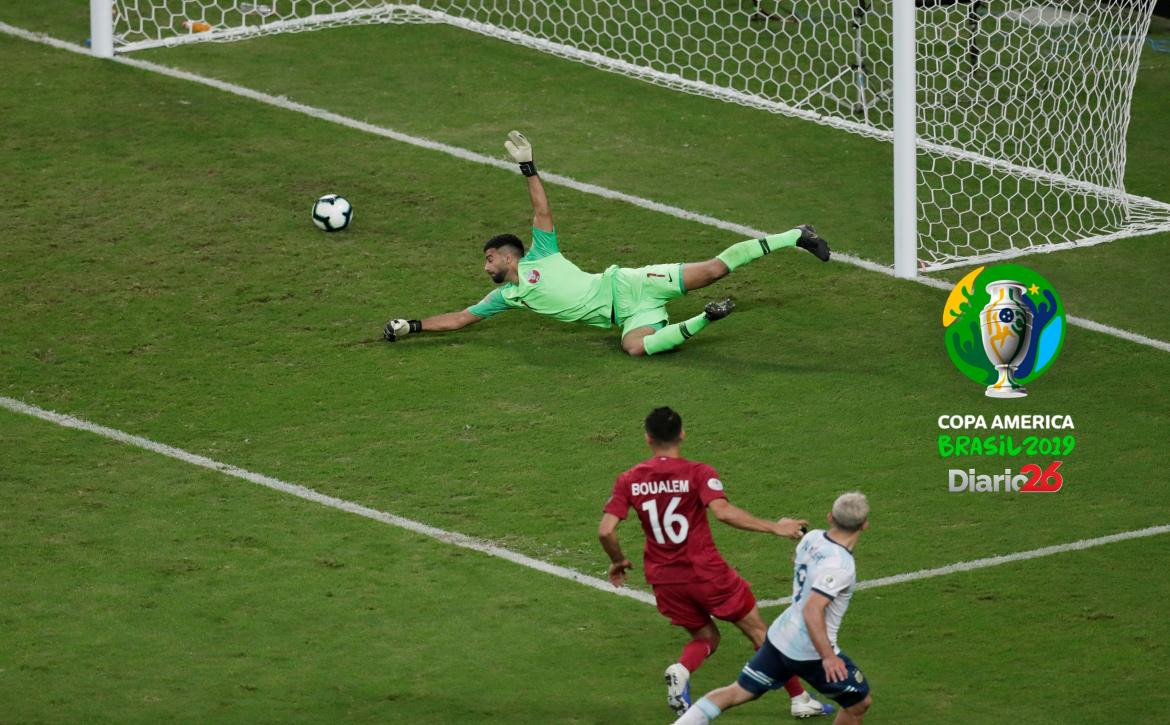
{"x": 542, "y": 280}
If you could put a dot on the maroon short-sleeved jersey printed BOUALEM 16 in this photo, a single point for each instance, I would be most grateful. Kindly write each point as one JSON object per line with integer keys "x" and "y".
{"x": 671, "y": 498}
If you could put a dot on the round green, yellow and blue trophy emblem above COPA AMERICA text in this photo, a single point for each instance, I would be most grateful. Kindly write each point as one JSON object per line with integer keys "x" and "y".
{"x": 1004, "y": 327}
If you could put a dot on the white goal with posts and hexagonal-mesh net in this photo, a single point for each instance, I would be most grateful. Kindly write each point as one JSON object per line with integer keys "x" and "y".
{"x": 1008, "y": 118}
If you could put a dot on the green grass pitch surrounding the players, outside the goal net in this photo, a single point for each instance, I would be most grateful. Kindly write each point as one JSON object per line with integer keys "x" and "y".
{"x": 161, "y": 277}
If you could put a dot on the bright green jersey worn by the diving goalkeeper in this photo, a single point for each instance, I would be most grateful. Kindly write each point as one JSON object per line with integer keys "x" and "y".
{"x": 552, "y": 285}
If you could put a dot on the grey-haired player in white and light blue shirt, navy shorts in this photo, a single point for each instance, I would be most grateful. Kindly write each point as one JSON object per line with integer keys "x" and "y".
{"x": 803, "y": 640}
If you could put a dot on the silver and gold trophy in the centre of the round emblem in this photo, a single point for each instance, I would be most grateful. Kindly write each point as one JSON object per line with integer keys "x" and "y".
{"x": 1006, "y": 326}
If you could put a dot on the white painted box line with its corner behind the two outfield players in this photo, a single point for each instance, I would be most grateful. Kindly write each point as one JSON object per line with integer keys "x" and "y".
{"x": 487, "y": 548}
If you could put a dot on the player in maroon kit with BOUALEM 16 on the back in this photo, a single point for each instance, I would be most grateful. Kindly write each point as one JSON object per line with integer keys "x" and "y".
{"x": 692, "y": 582}
